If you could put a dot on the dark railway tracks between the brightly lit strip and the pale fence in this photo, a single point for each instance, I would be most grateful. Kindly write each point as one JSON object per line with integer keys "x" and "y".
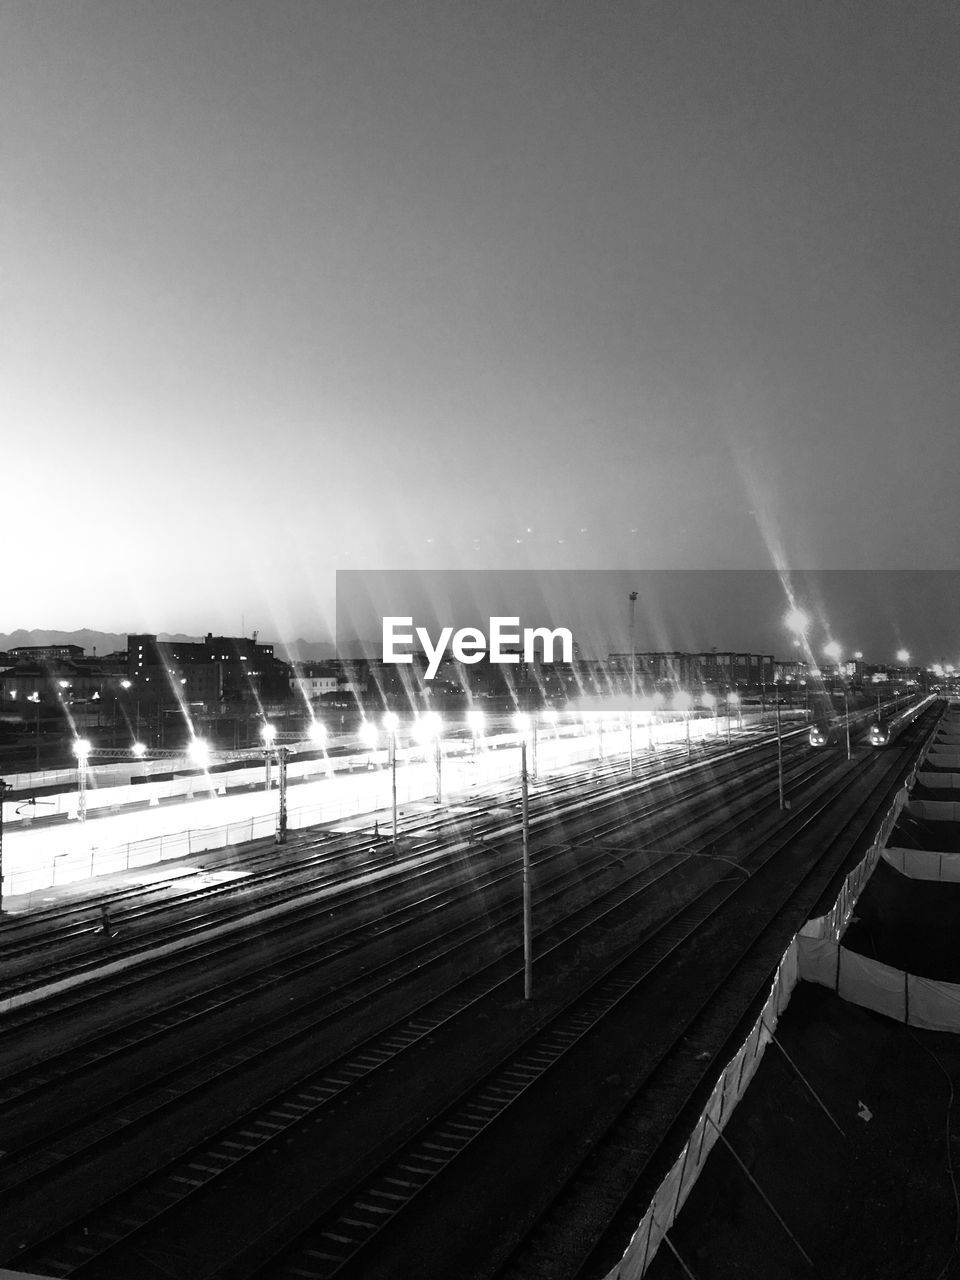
{"x": 318, "y": 1059}
